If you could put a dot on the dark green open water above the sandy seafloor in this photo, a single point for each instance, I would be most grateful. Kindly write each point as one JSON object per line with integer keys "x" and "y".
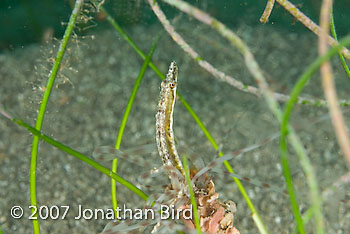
{"x": 25, "y": 22}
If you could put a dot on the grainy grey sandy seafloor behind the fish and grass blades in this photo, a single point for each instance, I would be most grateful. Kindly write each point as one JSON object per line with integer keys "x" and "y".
{"x": 87, "y": 105}
